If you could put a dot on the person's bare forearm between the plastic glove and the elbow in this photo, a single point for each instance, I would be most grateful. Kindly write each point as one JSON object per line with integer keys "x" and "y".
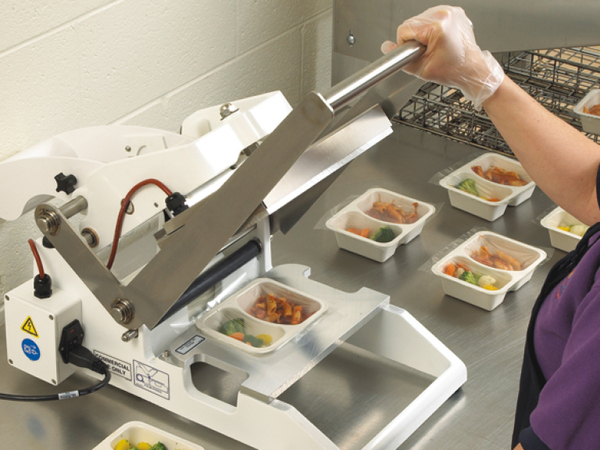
{"x": 559, "y": 158}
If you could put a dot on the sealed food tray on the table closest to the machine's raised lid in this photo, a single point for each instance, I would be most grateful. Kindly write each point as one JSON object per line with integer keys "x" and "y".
{"x": 377, "y": 222}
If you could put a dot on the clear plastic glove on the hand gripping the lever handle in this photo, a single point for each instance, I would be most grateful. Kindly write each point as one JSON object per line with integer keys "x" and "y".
{"x": 452, "y": 57}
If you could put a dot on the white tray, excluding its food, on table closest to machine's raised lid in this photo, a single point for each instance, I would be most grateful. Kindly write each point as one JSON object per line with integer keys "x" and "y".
{"x": 354, "y": 216}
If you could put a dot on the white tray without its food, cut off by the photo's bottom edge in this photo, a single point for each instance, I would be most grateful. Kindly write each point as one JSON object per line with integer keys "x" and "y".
{"x": 136, "y": 432}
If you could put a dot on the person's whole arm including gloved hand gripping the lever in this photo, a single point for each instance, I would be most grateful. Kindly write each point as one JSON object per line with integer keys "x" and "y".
{"x": 560, "y": 159}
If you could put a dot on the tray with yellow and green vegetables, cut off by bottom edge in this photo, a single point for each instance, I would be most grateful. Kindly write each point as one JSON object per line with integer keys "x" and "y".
{"x": 141, "y": 436}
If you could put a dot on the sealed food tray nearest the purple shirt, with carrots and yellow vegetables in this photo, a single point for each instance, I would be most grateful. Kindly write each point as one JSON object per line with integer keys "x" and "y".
{"x": 484, "y": 268}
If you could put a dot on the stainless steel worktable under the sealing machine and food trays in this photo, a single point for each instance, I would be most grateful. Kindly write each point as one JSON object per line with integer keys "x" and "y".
{"x": 478, "y": 416}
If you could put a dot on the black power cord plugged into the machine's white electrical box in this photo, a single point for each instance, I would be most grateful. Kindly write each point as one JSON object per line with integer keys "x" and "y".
{"x": 81, "y": 357}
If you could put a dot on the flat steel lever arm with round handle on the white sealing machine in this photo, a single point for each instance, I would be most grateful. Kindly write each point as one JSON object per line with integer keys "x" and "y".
{"x": 208, "y": 226}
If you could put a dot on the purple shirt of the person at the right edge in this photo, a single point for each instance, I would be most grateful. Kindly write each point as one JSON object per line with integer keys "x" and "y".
{"x": 568, "y": 412}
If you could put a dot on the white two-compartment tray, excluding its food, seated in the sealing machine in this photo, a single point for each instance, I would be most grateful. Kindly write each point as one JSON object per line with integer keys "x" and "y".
{"x": 238, "y": 304}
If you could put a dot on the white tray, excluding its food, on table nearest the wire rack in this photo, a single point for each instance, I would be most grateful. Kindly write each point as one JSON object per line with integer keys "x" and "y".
{"x": 506, "y": 195}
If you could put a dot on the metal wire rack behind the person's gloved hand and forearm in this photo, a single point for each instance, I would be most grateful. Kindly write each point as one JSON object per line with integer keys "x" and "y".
{"x": 557, "y": 78}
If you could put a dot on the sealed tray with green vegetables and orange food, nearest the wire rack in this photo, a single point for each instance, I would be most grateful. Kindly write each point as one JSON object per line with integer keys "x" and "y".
{"x": 488, "y": 184}
